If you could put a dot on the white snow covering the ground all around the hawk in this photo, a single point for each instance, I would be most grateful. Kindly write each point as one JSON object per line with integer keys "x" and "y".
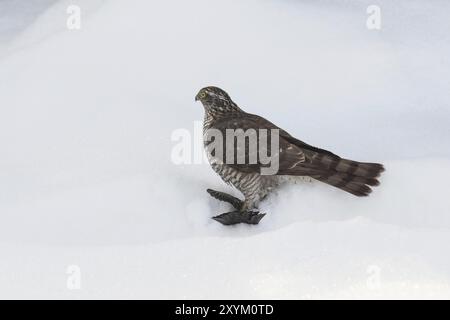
{"x": 86, "y": 176}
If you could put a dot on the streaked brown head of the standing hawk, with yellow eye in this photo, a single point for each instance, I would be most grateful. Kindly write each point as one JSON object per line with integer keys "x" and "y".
{"x": 216, "y": 100}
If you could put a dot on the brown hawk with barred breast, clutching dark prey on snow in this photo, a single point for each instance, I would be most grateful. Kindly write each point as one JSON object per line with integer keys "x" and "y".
{"x": 295, "y": 159}
